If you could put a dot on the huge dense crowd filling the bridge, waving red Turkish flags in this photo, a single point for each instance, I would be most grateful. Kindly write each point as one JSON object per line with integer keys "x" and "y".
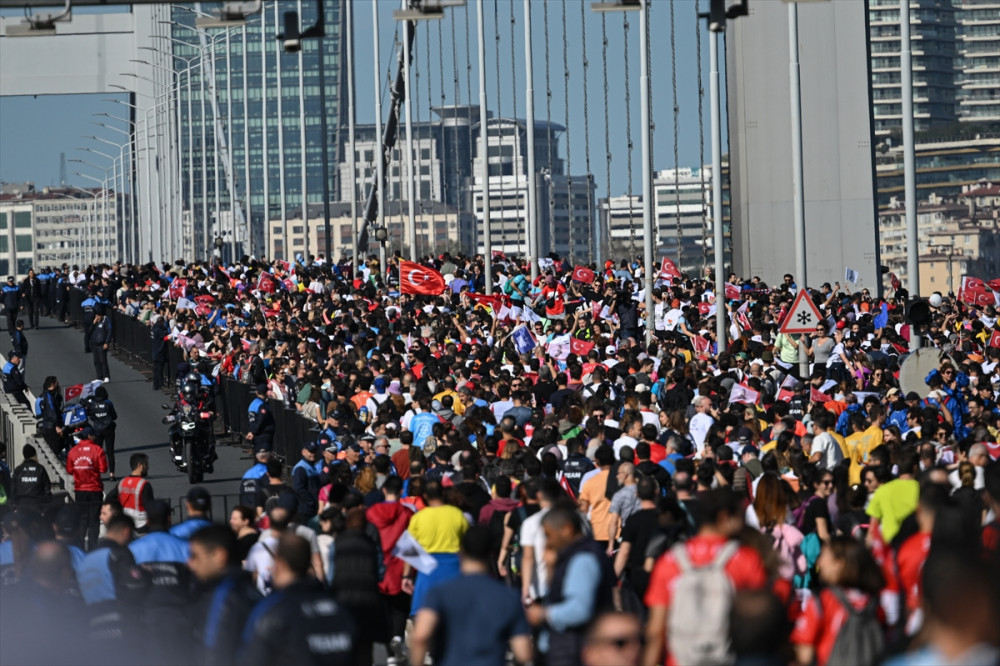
{"x": 528, "y": 477}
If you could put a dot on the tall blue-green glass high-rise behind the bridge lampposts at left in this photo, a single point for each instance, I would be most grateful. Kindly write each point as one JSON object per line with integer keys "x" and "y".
{"x": 260, "y": 130}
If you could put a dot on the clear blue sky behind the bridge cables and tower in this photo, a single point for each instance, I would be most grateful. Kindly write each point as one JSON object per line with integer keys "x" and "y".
{"x": 34, "y": 131}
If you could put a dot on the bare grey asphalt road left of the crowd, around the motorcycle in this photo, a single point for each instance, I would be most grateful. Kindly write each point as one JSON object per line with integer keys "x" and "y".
{"x": 57, "y": 349}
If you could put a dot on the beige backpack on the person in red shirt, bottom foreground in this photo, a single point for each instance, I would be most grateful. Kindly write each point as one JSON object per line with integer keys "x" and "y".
{"x": 698, "y": 619}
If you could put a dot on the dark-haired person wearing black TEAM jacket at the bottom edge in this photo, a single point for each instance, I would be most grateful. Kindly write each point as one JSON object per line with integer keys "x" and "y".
{"x": 300, "y": 623}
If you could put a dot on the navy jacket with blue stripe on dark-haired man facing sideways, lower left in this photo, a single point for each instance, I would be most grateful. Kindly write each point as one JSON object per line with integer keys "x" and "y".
{"x": 222, "y": 613}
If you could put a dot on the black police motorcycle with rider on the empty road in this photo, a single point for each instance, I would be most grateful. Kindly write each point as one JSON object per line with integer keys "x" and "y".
{"x": 192, "y": 439}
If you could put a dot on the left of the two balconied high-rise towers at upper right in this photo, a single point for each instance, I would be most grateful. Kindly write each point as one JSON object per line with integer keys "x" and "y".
{"x": 933, "y": 39}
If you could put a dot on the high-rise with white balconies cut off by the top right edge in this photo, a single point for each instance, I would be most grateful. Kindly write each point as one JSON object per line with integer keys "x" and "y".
{"x": 979, "y": 61}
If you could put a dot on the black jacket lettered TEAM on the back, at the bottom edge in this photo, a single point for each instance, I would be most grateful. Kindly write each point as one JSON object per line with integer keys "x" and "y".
{"x": 300, "y": 625}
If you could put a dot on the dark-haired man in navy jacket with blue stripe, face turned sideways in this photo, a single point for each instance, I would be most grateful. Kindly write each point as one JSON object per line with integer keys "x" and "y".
{"x": 228, "y": 594}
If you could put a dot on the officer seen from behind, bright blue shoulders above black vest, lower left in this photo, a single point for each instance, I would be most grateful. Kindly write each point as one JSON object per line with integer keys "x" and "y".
{"x": 165, "y": 608}
